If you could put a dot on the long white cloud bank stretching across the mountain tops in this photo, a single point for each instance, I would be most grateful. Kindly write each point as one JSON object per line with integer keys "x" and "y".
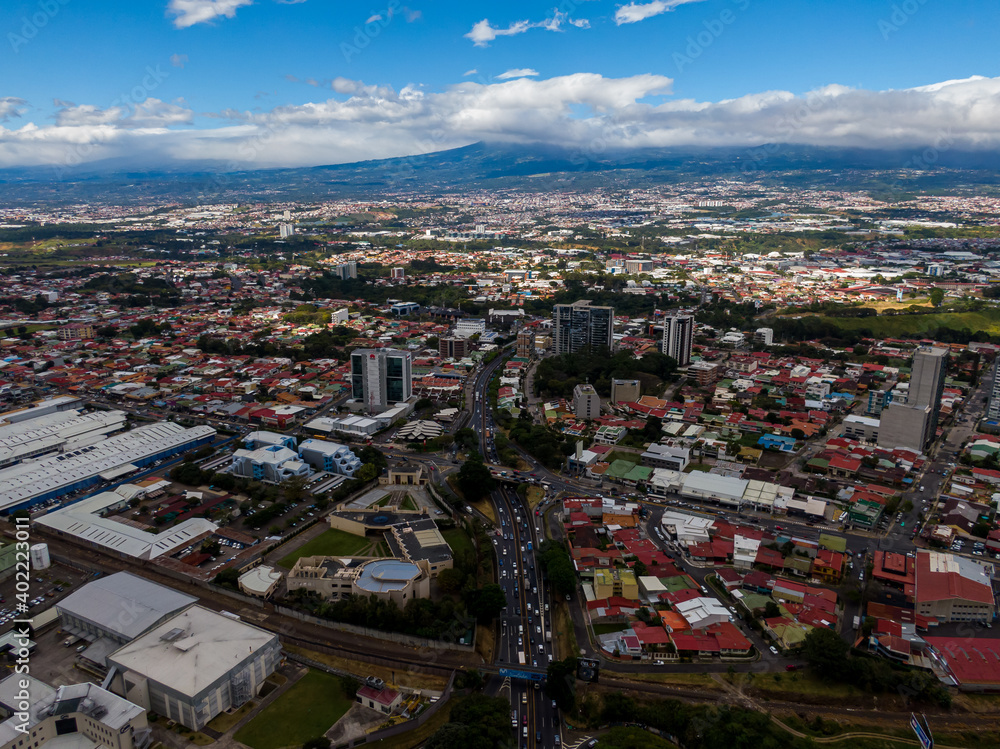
{"x": 583, "y": 111}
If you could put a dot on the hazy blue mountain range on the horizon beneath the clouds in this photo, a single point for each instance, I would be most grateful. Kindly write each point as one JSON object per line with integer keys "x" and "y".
{"x": 516, "y": 167}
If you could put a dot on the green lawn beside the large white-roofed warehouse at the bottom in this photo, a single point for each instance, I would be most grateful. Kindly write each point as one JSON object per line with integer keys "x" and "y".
{"x": 304, "y": 712}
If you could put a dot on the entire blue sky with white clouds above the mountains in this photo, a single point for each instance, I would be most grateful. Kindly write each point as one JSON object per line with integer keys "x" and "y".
{"x": 246, "y": 83}
